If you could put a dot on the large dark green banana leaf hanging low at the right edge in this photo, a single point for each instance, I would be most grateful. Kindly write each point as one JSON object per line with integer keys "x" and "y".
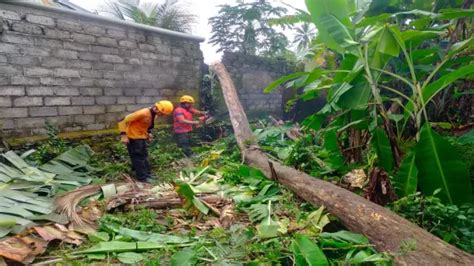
{"x": 439, "y": 167}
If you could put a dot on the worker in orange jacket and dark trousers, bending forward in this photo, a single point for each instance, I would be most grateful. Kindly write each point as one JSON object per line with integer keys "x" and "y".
{"x": 135, "y": 130}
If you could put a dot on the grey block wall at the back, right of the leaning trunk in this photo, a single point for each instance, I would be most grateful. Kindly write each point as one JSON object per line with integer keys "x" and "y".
{"x": 251, "y": 74}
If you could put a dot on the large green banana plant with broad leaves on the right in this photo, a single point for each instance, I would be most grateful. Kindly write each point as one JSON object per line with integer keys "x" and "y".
{"x": 368, "y": 49}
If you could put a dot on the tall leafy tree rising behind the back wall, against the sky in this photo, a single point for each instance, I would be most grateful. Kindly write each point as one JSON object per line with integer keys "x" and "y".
{"x": 244, "y": 28}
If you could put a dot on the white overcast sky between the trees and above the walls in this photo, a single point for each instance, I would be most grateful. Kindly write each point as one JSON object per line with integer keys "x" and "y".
{"x": 204, "y": 9}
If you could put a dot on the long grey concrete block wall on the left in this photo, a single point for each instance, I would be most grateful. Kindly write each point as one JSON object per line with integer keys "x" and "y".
{"x": 83, "y": 73}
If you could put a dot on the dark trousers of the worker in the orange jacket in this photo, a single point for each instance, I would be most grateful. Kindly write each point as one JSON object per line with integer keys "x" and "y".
{"x": 137, "y": 149}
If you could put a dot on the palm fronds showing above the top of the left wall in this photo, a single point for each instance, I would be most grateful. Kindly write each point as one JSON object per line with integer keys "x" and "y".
{"x": 168, "y": 15}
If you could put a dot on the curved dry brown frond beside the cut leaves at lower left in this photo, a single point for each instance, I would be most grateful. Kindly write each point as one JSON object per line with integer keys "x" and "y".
{"x": 68, "y": 203}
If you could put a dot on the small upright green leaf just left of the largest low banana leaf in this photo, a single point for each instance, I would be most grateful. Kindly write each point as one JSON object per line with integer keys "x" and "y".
{"x": 406, "y": 180}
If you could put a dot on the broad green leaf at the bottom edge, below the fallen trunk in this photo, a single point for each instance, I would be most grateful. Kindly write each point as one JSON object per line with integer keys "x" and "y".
{"x": 306, "y": 252}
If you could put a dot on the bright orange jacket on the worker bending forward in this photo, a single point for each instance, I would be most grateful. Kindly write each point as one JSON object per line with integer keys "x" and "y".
{"x": 138, "y": 124}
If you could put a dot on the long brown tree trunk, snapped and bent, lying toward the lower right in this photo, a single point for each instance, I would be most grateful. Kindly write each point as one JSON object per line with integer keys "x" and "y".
{"x": 385, "y": 229}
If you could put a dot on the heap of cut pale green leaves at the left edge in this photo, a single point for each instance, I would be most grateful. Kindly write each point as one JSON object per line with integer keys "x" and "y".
{"x": 26, "y": 191}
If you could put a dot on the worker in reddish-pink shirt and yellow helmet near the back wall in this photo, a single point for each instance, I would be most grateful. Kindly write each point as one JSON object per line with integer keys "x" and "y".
{"x": 183, "y": 122}
